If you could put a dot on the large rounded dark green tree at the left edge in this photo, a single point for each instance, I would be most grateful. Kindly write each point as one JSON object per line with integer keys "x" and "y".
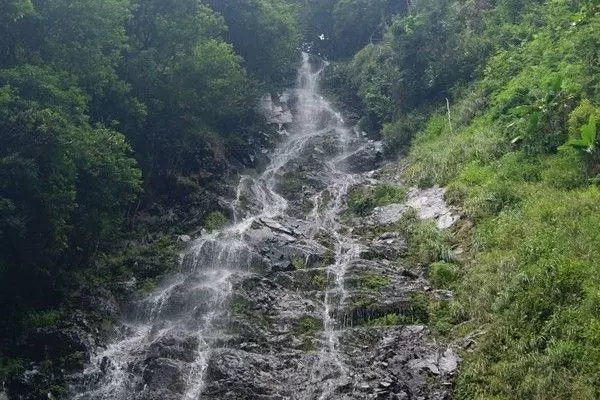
{"x": 64, "y": 184}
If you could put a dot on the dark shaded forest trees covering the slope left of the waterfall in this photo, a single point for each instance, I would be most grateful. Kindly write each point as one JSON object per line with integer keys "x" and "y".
{"x": 109, "y": 105}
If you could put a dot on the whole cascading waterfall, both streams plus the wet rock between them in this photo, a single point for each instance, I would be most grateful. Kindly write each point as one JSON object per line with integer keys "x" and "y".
{"x": 226, "y": 325}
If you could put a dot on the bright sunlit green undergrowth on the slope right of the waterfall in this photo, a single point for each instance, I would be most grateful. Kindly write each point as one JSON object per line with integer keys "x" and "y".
{"x": 527, "y": 289}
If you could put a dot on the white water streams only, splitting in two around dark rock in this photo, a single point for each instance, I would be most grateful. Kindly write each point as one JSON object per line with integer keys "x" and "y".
{"x": 192, "y": 307}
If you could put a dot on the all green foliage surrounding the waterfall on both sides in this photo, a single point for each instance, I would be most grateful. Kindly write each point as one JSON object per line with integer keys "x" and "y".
{"x": 108, "y": 105}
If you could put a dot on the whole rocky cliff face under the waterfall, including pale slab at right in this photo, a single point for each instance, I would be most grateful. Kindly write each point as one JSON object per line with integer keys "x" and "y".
{"x": 296, "y": 299}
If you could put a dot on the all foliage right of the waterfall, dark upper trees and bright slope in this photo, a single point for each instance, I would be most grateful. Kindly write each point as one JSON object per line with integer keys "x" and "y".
{"x": 516, "y": 144}
